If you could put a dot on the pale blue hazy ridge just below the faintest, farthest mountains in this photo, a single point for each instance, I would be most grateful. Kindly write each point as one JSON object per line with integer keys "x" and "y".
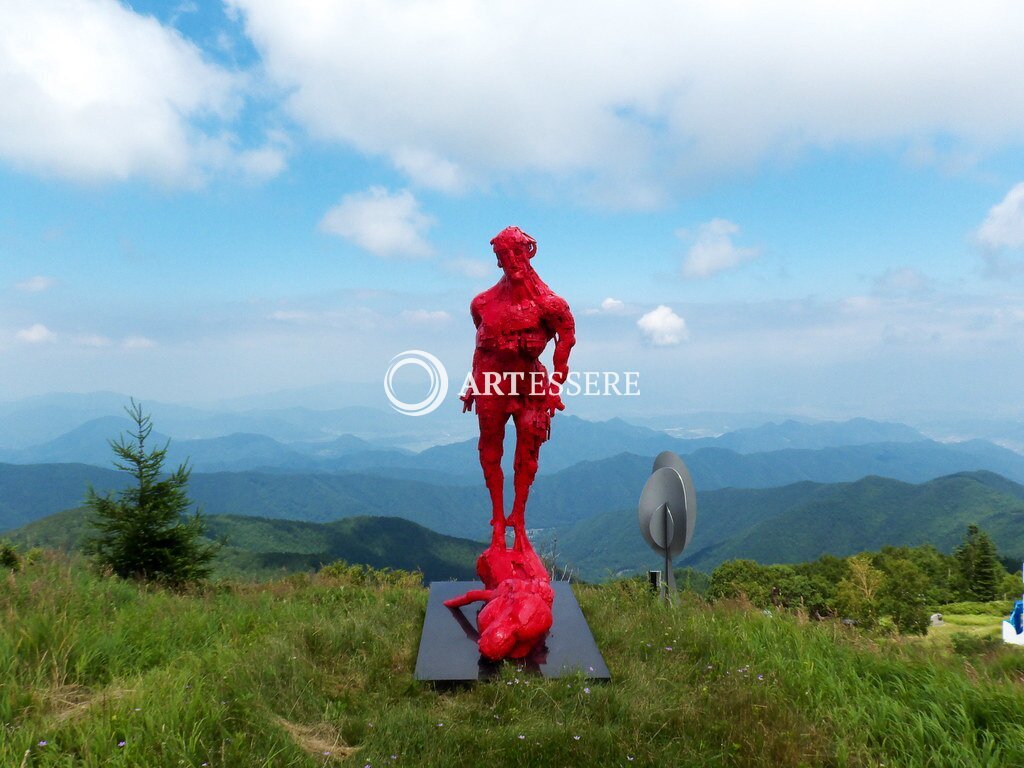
{"x": 573, "y": 441}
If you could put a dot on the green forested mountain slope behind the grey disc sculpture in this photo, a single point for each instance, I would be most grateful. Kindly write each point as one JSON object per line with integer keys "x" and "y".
{"x": 800, "y": 523}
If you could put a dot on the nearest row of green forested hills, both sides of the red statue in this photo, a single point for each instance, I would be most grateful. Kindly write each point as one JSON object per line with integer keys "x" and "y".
{"x": 792, "y": 524}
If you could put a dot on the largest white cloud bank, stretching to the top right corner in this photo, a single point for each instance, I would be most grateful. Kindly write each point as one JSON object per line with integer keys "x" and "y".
{"x": 646, "y": 91}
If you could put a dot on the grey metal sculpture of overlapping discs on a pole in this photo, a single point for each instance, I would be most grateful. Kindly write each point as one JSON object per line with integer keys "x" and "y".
{"x": 668, "y": 510}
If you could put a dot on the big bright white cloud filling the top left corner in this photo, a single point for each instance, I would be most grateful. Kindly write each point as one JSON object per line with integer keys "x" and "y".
{"x": 94, "y": 92}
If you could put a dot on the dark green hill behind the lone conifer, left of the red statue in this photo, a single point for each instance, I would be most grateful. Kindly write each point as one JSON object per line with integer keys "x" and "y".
{"x": 261, "y": 547}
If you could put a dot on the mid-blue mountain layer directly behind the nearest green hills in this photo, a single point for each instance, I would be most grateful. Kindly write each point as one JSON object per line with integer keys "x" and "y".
{"x": 458, "y": 505}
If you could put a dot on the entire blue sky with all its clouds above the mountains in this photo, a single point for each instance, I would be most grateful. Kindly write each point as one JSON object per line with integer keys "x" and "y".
{"x": 793, "y": 207}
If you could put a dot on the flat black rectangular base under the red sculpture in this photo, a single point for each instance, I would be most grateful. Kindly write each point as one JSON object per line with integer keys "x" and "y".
{"x": 448, "y": 647}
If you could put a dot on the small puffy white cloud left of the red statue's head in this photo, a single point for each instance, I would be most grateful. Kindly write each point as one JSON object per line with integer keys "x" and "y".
{"x": 383, "y": 224}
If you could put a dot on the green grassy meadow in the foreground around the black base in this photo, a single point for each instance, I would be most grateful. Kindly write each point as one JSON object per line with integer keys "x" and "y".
{"x": 279, "y": 674}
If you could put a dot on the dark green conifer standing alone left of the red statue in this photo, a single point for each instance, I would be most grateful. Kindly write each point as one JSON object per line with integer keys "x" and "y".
{"x": 144, "y": 533}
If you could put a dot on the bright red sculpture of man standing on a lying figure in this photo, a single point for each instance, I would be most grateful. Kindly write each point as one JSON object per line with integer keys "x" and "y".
{"x": 516, "y": 320}
